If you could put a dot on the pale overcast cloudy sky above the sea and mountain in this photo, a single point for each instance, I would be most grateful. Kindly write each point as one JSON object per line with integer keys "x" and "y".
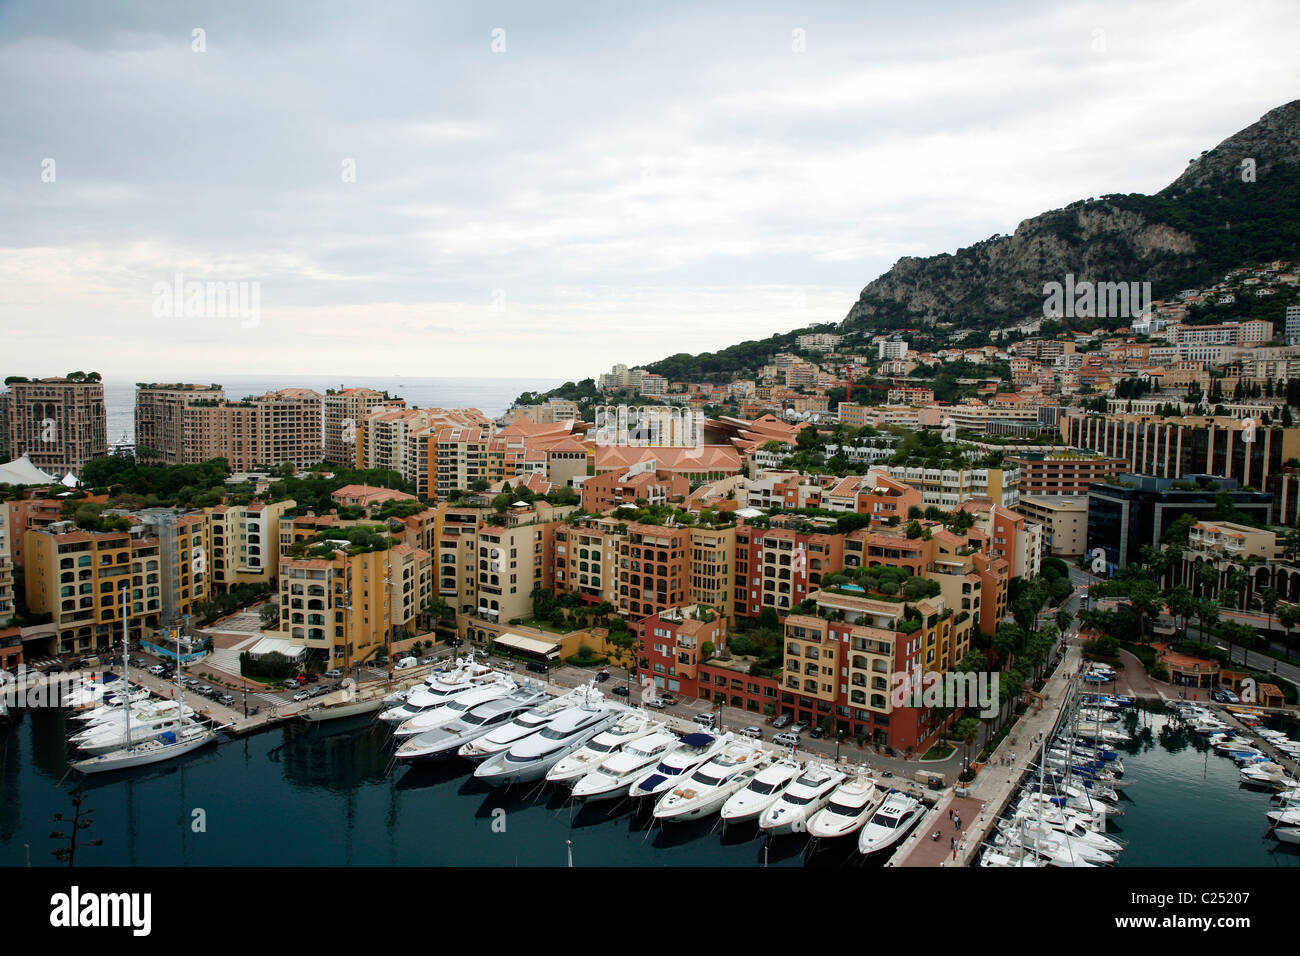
{"x": 521, "y": 189}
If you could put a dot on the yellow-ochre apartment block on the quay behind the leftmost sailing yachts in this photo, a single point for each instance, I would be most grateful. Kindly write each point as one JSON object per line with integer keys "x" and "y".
{"x": 77, "y": 577}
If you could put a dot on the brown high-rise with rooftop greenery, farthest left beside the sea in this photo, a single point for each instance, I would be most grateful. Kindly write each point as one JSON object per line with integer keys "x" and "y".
{"x": 59, "y": 423}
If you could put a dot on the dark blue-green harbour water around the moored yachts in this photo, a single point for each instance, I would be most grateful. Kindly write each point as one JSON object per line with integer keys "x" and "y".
{"x": 330, "y": 794}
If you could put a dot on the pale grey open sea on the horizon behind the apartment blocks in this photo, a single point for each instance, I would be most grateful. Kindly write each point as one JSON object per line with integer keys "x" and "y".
{"x": 491, "y": 396}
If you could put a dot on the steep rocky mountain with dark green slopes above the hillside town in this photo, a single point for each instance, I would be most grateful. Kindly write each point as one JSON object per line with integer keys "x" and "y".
{"x": 1234, "y": 205}
